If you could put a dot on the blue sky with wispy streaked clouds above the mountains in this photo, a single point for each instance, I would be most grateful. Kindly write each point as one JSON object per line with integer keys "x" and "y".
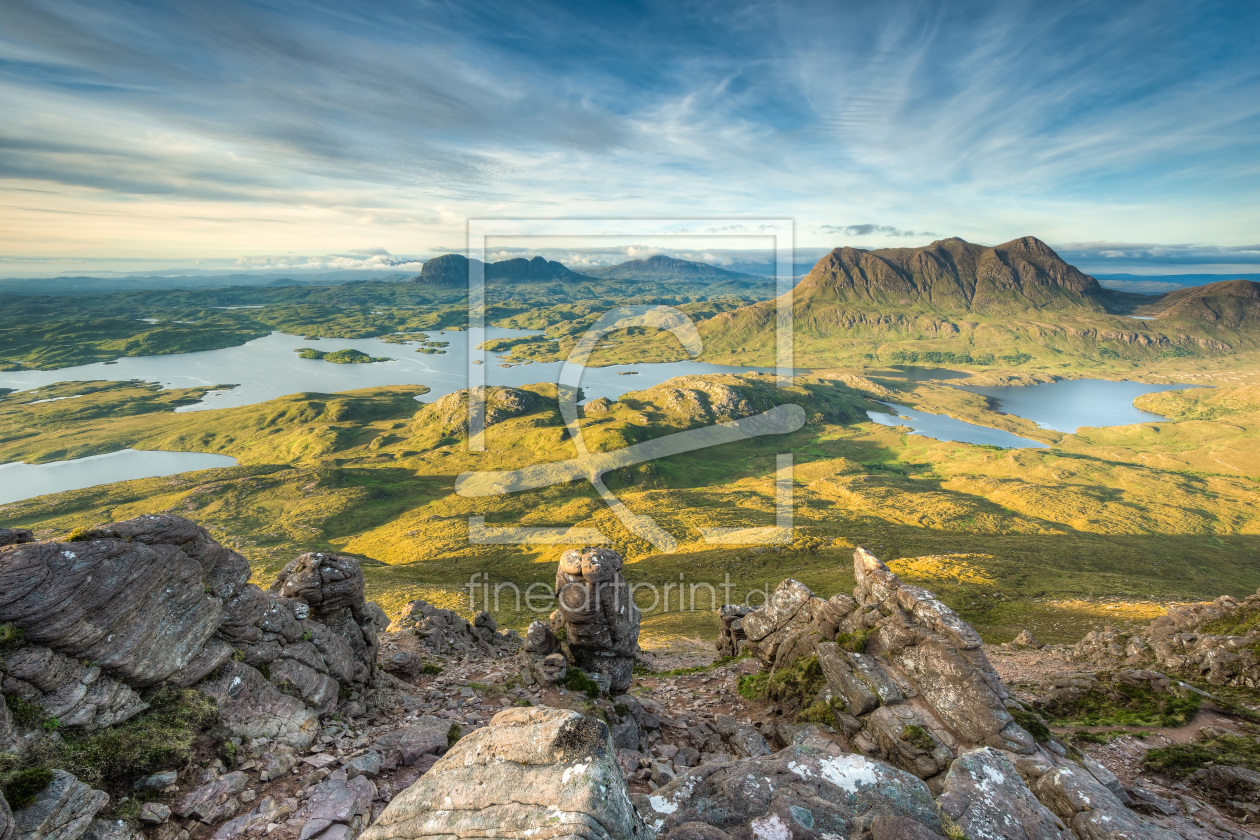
{"x": 143, "y": 135}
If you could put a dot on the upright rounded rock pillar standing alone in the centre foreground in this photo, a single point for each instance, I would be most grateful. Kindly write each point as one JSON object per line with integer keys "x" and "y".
{"x": 599, "y": 615}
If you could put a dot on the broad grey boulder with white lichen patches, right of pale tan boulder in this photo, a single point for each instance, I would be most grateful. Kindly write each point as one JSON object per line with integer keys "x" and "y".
{"x": 811, "y": 790}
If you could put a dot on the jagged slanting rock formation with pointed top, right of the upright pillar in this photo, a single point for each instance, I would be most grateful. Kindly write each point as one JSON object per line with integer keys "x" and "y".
{"x": 909, "y": 681}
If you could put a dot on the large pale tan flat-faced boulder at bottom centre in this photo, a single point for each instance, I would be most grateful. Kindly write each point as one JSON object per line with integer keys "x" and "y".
{"x": 531, "y": 774}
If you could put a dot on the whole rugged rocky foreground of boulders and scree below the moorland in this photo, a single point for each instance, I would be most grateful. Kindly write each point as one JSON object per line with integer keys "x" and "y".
{"x": 883, "y": 718}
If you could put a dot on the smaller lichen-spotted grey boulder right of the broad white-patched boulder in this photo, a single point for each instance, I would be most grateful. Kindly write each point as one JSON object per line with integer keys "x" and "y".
{"x": 990, "y": 802}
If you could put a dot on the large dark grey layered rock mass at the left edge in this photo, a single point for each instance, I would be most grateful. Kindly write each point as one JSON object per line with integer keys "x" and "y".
{"x": 156, "y": 600}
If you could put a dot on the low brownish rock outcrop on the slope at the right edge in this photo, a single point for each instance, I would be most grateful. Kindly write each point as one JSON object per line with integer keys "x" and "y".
{"x": 1215, "y": 642}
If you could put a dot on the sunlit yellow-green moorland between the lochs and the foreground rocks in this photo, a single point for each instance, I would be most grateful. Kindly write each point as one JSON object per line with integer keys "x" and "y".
{"x": 1103, "y": 526}
